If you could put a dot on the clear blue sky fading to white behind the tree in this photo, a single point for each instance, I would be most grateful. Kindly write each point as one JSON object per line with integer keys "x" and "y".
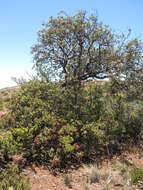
{"x": 20, "y": 21}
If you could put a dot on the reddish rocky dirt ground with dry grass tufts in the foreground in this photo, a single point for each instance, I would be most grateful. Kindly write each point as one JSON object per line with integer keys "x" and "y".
{"x": 110, "y": 175}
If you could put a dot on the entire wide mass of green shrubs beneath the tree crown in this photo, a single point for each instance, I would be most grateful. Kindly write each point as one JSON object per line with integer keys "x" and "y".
{"x": 51, "y": 124}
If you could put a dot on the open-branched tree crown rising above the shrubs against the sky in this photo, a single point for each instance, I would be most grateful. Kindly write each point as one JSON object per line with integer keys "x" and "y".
{"x": 78, "y": 48}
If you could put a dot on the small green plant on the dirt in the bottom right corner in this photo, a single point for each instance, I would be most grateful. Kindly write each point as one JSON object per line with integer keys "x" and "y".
{"x": 136, "y": 175}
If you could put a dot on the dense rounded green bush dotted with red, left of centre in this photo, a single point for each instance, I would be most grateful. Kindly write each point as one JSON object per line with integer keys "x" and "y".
{"x": 47, "y": 127}
